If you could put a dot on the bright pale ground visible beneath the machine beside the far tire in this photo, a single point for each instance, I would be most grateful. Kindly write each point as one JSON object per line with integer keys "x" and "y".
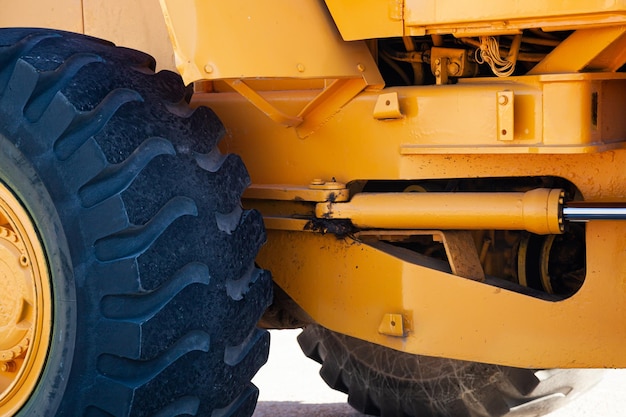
{"x": 291, "y": 387}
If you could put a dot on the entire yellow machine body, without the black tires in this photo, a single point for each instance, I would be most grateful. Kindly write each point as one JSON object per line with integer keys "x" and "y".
{"x": 300, "y": 89}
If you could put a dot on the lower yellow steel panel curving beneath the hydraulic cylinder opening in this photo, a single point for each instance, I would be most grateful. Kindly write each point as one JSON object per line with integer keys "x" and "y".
{"x": 453, "y": 317}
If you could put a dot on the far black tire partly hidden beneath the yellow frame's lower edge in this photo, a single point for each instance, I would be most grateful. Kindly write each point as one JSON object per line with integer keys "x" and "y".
{"x": 383, "y": 382}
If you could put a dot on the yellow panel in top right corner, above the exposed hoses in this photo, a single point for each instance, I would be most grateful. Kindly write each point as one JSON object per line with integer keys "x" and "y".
{"x": 358, "y": 19}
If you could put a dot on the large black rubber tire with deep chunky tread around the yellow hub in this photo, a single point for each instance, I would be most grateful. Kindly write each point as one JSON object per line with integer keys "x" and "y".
{"x": 156, "y": 294}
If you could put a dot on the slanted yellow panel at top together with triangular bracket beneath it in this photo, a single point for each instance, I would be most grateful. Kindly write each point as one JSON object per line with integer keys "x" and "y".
{"x": 299, "y": 42}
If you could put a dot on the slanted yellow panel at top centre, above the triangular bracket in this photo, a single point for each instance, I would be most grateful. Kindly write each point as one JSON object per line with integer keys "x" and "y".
{"x": 273, "y": 38}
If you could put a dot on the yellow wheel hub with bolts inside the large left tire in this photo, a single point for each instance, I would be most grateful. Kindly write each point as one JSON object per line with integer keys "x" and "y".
{"x": 25, "y": 305}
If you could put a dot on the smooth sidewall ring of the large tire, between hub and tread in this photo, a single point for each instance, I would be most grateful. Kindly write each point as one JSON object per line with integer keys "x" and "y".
{"x": 19, "y": 175}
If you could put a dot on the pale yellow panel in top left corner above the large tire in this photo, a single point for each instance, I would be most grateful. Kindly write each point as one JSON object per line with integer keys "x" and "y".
{"x": 58, "y": 14}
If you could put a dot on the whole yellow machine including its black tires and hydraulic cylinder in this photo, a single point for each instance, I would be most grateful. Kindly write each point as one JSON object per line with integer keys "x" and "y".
{"x": 441, "y": 183}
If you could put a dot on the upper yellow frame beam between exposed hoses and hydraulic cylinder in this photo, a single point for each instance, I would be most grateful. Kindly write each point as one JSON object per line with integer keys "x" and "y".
{"x": 553, "y": 115}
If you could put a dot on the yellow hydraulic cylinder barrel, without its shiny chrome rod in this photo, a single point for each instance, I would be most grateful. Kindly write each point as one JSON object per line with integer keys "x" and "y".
{"x": 538, "y": 211}
